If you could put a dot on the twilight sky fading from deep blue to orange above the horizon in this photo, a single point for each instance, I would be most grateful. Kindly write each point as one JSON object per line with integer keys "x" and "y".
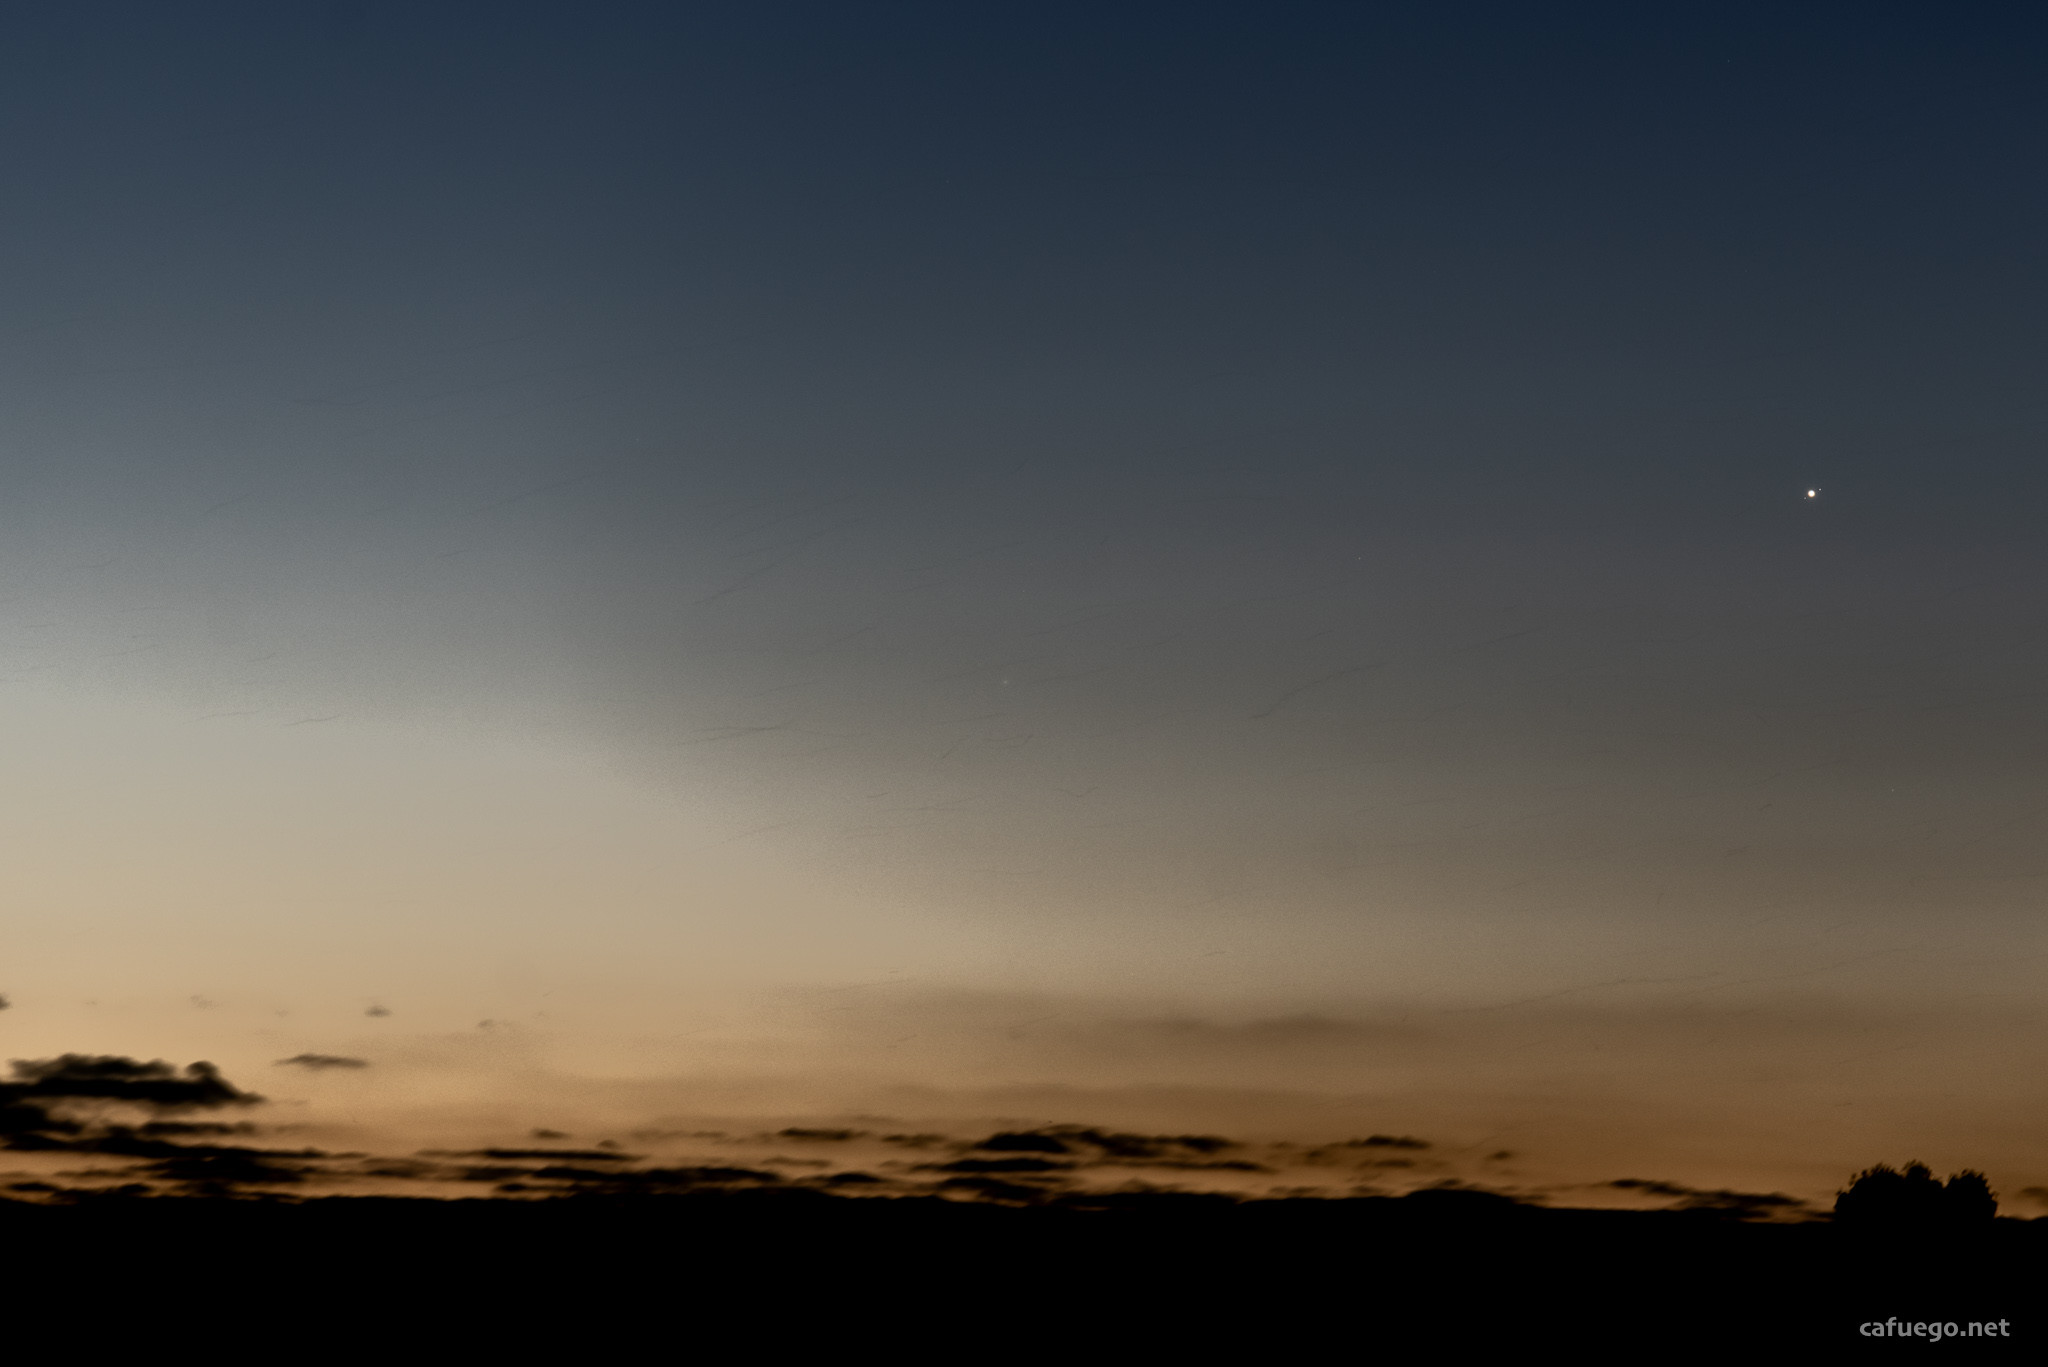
{"x": 1299, "y": 571}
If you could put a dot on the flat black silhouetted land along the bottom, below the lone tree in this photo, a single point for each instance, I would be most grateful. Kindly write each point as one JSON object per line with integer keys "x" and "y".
{"x": 1142, "y": 1278}
